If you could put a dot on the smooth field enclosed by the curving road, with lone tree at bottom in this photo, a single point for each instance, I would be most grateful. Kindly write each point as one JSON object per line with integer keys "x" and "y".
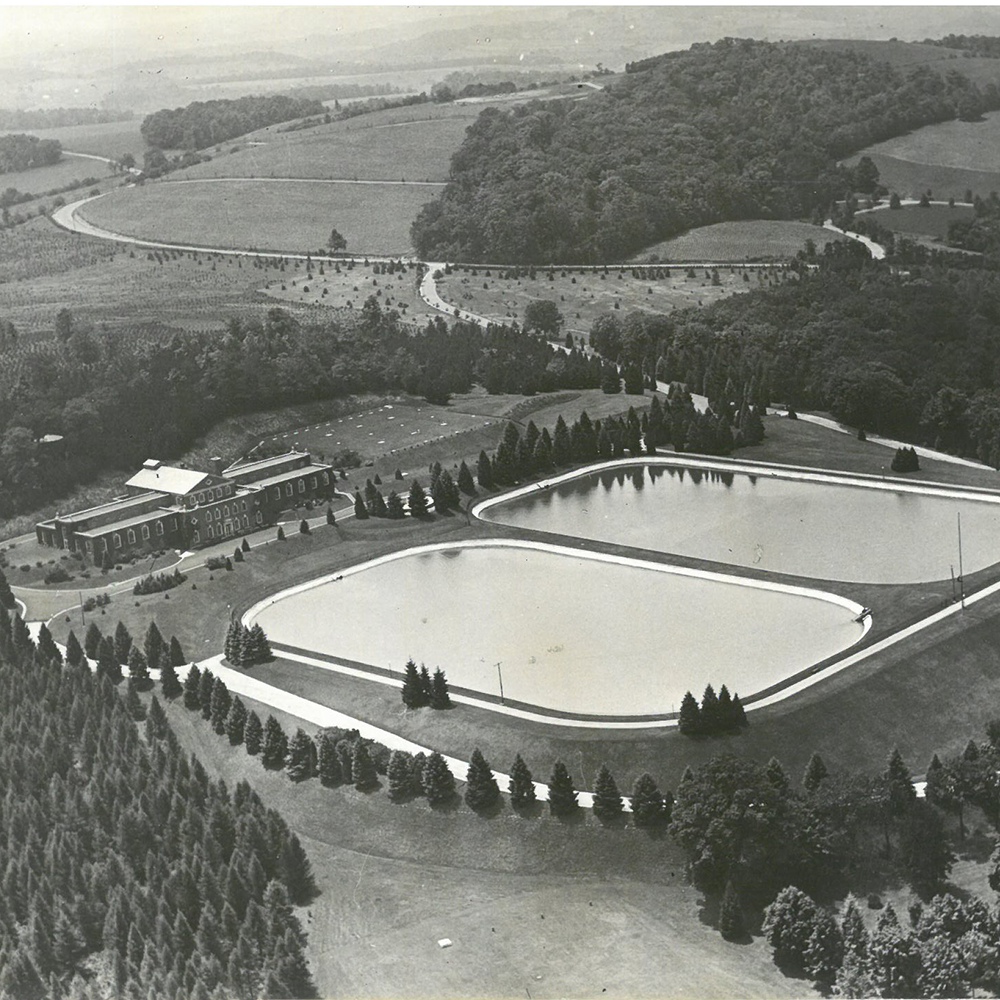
{"x": 257, "y": 214}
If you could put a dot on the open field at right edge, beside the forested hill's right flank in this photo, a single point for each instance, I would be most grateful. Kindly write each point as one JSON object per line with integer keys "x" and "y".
{"x": 947, "y": 159}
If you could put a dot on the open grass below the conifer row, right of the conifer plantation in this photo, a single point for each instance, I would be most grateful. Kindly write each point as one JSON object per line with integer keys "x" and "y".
{"x": 533, "y": 905}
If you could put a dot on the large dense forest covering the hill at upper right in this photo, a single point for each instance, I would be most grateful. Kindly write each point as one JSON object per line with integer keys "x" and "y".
{"x": 737, "y": 129}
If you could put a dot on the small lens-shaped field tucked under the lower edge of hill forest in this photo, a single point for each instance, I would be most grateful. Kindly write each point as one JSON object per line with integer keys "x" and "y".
{"x": 754, "y": 240}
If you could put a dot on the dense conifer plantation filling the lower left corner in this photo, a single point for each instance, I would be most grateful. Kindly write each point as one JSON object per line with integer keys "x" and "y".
{"x": 127, "y": 871}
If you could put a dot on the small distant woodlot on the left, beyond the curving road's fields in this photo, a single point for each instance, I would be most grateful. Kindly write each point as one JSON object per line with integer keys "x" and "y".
{"x": 207, "y": 123}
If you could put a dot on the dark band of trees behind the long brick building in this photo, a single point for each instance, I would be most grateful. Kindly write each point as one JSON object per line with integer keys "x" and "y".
{"x": 118, "y": 399}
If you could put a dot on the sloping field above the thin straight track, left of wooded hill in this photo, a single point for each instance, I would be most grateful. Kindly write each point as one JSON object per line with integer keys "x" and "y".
{"x": 413, "y": 143}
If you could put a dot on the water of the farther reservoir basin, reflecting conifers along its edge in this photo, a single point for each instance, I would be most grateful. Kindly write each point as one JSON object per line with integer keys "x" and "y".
{"x": 828, "y": 532}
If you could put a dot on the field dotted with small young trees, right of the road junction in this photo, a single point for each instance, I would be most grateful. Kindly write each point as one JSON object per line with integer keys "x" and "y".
{"x": 583, "y": 296}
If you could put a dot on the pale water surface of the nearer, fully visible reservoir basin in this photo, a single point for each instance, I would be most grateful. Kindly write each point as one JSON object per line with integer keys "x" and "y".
{"x": 569, "y": 633}
